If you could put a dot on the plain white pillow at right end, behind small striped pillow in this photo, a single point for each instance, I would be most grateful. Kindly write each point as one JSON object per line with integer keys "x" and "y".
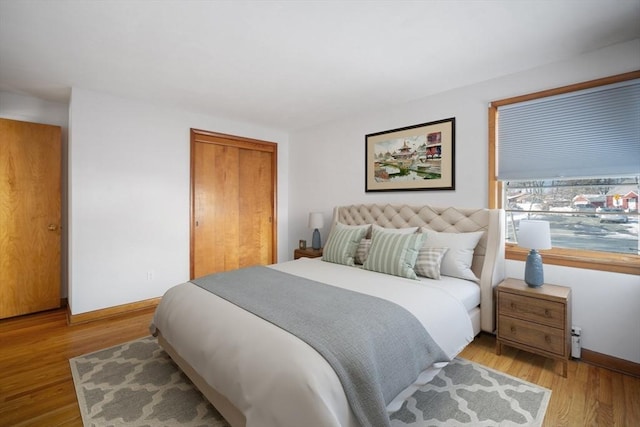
{"x": 457, "y": 260}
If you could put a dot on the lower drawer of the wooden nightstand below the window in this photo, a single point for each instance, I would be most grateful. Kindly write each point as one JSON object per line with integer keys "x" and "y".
{"x": 531, "y": 334}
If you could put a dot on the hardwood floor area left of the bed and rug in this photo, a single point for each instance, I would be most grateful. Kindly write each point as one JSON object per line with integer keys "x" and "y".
{"x": 36, "y": 388}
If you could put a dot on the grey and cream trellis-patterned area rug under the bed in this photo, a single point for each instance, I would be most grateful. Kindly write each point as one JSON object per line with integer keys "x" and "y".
{"x": 137, "y": 384}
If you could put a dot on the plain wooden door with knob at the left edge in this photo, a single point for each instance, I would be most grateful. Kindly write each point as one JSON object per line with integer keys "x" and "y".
{"x": 30, "y": 162}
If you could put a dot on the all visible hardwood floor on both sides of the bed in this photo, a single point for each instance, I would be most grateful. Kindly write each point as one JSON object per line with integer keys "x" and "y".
{"x": 36, "y": 387}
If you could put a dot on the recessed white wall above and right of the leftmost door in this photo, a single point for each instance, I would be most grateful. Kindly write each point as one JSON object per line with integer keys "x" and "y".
{"x": 29, "y": 109}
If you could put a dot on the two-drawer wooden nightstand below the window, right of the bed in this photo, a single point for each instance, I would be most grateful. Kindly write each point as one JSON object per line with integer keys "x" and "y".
{"x": 537, "y": 320}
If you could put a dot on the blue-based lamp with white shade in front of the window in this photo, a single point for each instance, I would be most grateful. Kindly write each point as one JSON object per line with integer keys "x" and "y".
{"x": 534, "y": 235}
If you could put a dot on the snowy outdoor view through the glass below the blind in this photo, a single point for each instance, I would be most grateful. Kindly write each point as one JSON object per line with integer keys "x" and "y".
{"x": 592, "y": 214}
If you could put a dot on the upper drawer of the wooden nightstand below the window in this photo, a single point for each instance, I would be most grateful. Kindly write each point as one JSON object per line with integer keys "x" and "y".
{"x": 534, "y": 309}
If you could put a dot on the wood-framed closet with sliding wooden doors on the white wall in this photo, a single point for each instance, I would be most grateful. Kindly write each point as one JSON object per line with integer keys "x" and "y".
{"x": 233, "y": 197}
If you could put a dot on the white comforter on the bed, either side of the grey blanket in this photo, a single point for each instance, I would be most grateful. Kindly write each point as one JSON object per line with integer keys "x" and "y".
{"x": 271, "y": 376}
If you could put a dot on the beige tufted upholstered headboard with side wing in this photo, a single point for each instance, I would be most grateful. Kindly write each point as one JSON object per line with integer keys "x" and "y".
{"x": 488, "y": 257}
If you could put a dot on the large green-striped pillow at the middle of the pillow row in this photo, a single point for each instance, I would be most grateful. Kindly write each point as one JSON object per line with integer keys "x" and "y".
{"x": 394, "y": 253}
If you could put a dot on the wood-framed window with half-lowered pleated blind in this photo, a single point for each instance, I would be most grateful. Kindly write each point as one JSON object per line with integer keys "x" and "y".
{"x": 571, "y": 156}
